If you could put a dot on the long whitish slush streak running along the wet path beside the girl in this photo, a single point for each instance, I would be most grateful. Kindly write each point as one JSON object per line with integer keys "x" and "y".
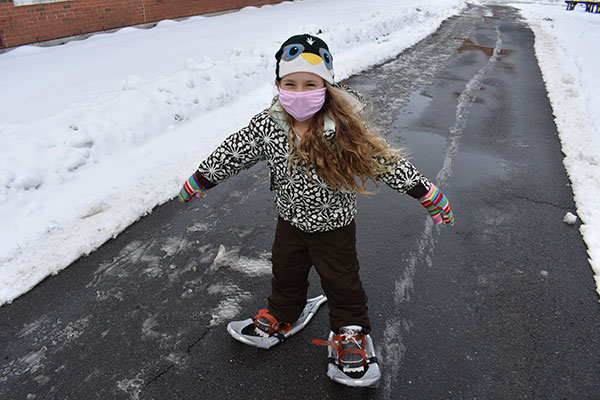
{"x": 393, "y": 347}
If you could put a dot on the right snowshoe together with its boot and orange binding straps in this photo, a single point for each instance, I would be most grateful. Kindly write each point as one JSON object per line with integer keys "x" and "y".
{"x": 351, "y": 357}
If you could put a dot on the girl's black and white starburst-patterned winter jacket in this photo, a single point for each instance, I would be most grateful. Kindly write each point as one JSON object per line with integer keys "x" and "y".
{"x": 309, "y": 204}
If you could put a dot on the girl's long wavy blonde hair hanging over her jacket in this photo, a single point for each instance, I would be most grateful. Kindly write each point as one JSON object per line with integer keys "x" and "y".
{"x": 353, "y": 156}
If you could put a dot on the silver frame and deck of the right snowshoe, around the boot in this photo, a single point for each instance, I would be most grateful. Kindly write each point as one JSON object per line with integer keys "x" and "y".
{"x": 369, "y": 377}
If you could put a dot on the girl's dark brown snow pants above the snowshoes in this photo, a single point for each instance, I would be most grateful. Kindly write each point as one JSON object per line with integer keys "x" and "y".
{"x": 334, "y": 257}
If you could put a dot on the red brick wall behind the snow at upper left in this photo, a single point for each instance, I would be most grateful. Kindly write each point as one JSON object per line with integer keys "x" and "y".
{"x": 39, "y": 22}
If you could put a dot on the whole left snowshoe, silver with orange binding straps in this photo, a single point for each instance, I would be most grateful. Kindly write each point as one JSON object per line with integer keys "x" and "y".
{"x": 263, "y": 331}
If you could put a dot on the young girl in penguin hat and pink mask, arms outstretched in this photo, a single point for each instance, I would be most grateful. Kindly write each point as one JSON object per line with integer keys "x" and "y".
{"x": 320, "y": 155}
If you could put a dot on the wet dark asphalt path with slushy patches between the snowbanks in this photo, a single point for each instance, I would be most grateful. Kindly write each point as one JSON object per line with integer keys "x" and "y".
{"x": 502, "y": 306}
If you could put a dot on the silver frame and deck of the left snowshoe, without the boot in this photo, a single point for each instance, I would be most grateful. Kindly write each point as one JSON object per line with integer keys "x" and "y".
{"x": 244, "y": 330}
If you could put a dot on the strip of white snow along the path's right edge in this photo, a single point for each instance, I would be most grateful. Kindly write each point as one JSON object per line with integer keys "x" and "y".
{"x": 566, "y": 45}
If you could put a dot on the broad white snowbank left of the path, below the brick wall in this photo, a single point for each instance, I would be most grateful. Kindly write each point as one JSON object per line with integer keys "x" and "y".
{"x": 96, "y": 133}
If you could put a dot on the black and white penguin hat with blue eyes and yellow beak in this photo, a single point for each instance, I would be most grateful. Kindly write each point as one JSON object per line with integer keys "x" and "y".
{"x": 304, "y": 53}
